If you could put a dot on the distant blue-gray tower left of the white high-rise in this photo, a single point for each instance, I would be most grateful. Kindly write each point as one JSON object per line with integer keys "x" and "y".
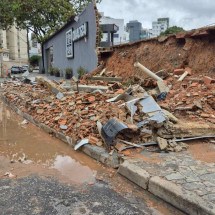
{"x": 134, "y": 29}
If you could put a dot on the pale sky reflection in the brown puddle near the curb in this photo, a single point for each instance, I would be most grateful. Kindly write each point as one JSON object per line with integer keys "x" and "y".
{"x": 73, "y": 170}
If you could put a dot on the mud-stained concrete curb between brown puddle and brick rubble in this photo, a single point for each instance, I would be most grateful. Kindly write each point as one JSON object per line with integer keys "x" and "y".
{"x": 95, "y": 152}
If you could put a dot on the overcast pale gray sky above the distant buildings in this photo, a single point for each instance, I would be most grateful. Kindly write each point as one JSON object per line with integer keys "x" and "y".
{"x": 188, "y": 14}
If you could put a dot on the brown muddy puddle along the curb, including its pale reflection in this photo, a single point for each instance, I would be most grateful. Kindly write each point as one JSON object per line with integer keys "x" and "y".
{"x": 25, "y": 144}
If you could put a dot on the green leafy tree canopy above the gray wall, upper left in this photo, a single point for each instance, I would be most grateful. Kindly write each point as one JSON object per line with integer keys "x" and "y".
{"x": 41, "y": 17}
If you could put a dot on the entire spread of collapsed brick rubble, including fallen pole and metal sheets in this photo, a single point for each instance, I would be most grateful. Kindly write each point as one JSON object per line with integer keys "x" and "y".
{"x": 115, "y": 115}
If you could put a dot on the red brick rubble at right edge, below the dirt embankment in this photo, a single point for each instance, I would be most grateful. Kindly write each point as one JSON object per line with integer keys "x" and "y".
{"x": 193, "y": 98}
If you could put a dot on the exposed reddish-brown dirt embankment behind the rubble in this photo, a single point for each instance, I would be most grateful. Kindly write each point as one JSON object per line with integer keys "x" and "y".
{"x": 194, "y": 49}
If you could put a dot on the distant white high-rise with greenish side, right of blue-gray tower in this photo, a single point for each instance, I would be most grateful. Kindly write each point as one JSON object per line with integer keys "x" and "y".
{"x": 159, "y": 26}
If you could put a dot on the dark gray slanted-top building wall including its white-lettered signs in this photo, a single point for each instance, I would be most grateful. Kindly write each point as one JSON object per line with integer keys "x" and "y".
{"x": 74, "y": 45}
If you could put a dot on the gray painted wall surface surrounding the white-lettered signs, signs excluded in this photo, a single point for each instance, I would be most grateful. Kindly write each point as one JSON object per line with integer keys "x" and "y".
{"x": 84, "y": 49}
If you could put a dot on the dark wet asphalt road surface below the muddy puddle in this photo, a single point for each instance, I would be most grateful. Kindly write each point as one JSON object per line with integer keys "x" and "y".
{"x": 36, "y": 195}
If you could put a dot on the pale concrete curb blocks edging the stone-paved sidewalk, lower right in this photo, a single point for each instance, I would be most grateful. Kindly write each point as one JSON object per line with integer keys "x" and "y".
{"x": 184, "y": 200}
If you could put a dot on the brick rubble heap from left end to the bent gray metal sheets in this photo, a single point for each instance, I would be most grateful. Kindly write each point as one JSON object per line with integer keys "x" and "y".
{"x": 130, "y": 116}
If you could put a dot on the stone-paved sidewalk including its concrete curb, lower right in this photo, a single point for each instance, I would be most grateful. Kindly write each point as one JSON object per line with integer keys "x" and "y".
{"x": 178, "y": 178}
